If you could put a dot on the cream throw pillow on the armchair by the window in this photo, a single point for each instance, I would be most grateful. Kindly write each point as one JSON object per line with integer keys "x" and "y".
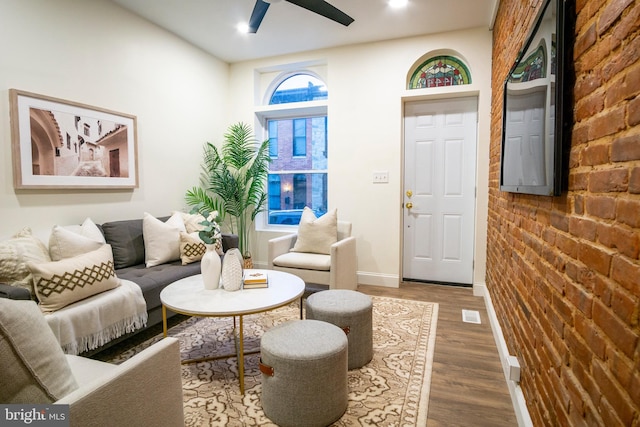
{"x": 316, "y": 235}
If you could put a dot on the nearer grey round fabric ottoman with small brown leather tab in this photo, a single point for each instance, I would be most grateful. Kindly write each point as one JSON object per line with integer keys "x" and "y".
{"x": 304, "y": 367}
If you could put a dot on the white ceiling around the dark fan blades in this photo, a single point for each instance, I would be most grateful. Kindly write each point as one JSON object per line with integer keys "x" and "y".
{"x": 287, "y": 28}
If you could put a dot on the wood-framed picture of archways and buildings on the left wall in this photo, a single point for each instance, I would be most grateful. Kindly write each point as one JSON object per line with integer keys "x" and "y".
{"x": 59, "y": 144}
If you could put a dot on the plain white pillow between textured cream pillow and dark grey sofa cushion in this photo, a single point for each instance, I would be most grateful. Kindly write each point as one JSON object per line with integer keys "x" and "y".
{"x": 70, "y": 241}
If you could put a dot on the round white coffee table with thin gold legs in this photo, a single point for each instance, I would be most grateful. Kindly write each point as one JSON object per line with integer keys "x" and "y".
{"x": 188, "y": 296}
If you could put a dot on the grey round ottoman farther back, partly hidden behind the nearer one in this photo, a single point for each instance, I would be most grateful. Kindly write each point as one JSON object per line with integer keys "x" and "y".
{"x": 351, "y": 311}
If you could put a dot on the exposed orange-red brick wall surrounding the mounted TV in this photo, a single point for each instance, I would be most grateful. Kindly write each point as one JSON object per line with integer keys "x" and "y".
{"x": 564, "y": 272}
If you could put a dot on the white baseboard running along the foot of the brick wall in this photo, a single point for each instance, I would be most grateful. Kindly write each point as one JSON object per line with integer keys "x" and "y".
{"x": 517, "y": 396}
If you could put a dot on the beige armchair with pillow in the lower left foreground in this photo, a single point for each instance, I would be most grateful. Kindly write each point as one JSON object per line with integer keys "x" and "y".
{"x": 142, "y": 391}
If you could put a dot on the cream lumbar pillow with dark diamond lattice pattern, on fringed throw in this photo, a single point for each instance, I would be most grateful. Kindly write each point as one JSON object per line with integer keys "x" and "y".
{"x": 60, "y": 283}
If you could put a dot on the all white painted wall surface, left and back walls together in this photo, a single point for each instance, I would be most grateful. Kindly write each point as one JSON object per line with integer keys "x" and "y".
{"x": 96, "y": 53}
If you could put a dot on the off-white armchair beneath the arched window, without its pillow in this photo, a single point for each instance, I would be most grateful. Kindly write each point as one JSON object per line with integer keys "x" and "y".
{"x": 338, "y": 269}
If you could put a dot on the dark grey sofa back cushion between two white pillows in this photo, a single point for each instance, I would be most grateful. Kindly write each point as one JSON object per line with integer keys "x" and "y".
{"x": 127, "y": 243}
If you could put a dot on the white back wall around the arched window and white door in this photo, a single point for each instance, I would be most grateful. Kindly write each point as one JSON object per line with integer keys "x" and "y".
{"x": 367, "y": 89}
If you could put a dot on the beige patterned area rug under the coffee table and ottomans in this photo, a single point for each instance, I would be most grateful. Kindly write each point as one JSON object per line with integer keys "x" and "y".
{"x": 391, "y": 390}
